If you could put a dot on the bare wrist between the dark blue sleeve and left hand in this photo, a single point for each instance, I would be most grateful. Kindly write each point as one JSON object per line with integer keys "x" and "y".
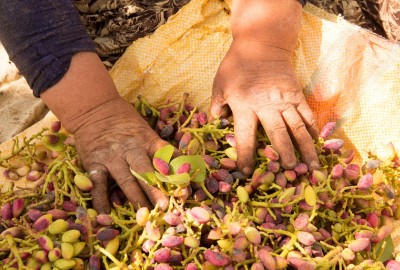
{"x": 84, "y": 89}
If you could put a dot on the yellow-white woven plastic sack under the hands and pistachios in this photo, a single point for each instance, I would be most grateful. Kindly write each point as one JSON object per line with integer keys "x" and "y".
{"x": 349, "y": 75}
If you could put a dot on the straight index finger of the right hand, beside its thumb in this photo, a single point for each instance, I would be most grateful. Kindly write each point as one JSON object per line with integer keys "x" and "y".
{"x": 245, "y": 134}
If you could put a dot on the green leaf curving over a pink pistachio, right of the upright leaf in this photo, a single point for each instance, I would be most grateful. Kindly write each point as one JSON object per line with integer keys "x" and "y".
{"x": 196, "y": 164}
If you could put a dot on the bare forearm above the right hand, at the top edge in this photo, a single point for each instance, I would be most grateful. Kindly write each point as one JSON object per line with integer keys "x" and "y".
{"x": 273, "y": 23}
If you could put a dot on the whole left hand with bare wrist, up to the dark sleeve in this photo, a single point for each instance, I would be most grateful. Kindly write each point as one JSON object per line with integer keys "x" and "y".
{"x": 110, "y": 135}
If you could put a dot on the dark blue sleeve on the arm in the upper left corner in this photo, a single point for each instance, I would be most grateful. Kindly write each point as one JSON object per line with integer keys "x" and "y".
{"x": 41, "y": 37}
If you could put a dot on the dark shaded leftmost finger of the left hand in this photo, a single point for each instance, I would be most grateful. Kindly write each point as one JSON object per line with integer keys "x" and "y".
{"x": 99, "y": 176}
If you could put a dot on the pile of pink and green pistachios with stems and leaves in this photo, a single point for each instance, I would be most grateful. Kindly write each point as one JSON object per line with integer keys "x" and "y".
{"x": 338, "y": 217}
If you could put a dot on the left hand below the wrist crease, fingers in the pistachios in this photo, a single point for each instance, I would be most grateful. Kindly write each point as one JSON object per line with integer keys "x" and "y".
{"x": 114, "y": 139}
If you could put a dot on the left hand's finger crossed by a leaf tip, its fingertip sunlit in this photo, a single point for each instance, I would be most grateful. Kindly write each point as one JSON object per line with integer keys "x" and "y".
{"x": 142, "y": 165}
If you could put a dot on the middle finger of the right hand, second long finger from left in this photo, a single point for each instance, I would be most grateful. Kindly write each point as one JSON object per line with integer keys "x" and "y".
{"x": 278, "y": 134}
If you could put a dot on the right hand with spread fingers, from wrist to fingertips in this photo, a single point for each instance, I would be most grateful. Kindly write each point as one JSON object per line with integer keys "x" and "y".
{"x": 258, "y": 83}
